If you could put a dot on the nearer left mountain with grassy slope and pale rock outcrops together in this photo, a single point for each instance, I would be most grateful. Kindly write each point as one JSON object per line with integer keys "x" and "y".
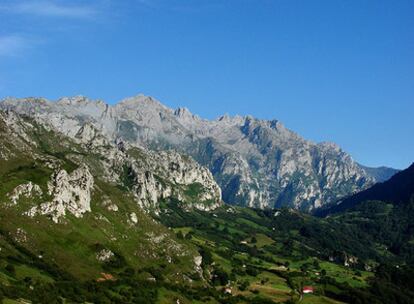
{"x": 87, "y": 200}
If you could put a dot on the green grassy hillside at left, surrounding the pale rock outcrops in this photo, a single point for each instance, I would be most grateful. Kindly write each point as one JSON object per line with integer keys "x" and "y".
{"x": 43, "y": 251}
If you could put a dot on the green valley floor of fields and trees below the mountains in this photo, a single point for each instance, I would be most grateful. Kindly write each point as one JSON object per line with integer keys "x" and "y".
{"x": 228, "y": 236}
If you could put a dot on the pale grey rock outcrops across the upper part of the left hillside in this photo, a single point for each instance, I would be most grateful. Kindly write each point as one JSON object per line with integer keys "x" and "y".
{"x": 149, "y": 176}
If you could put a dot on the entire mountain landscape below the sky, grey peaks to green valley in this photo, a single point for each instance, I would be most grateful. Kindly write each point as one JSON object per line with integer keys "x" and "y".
{"x": 112, "y": 204}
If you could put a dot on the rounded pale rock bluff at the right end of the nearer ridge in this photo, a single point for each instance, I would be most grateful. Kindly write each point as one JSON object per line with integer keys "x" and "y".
{"x": 164, "y": 174}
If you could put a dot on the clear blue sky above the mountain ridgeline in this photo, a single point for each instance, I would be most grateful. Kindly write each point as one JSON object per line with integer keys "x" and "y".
{"x": 333, "y": 70}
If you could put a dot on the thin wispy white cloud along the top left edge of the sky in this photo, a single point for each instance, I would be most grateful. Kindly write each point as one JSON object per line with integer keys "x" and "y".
{"x": 49, "y": 9}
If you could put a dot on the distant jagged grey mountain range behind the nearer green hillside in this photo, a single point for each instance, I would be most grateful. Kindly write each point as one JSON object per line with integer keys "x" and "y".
{"x": 257, "y": 163}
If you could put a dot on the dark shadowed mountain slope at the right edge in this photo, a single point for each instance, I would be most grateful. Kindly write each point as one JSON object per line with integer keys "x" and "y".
{"x": 383, "y": 212}
